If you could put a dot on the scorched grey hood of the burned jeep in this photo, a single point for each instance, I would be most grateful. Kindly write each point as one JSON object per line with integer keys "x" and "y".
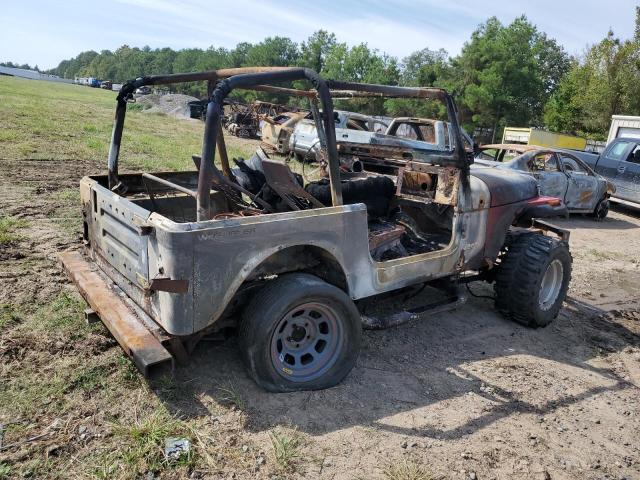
{"x": 506, "y": 186}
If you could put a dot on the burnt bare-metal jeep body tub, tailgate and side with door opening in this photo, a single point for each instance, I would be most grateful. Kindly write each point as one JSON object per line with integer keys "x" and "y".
{"x": 135, "y": 248}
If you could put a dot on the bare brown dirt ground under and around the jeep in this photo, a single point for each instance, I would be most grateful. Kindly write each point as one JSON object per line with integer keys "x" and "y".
{"x": 464, "y": 395}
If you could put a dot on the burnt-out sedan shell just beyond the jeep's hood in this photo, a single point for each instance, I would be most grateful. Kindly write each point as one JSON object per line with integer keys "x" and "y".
{"x": 560, "y": 173}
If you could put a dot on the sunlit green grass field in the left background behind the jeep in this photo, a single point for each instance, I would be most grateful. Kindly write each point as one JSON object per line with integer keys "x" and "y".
{"x": 42, "y": 120}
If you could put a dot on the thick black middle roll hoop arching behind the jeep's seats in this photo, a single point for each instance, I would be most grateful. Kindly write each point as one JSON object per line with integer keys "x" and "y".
{"x": 208, "y": 170}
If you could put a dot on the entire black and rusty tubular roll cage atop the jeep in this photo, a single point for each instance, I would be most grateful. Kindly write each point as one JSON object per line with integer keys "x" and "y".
{"x": 262, "y": 79}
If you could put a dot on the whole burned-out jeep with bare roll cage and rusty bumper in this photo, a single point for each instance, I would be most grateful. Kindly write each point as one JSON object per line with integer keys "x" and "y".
{"x": 285, "y": 261}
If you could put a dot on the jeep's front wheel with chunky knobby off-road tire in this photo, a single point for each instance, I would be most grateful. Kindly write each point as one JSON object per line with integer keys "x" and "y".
{"x": 532, "y": 279}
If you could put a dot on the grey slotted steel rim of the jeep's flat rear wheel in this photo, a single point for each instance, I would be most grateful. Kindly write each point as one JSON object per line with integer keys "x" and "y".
{"x": 306, "y": 342}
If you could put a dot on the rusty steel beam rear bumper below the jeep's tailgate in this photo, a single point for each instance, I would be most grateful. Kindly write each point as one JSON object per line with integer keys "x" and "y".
{"x": 136, "y": 340}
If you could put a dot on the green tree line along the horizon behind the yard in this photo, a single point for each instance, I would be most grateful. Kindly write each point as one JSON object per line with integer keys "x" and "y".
{"x": 511, "y": 74}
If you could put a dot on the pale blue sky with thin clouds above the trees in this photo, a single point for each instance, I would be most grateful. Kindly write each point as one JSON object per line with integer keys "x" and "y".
{"x": 43, "y": 32}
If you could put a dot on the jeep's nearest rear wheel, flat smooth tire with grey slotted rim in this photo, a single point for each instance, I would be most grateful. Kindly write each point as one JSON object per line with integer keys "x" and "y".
{"x": 299, "y": 333}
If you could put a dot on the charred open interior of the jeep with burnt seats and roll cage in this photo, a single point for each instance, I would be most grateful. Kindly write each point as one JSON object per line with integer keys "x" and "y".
{"x": 410, "y": 187}
